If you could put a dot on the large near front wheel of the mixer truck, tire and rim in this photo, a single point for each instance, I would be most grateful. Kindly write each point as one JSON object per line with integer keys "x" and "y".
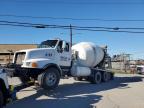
{"x": 50, "y": 78}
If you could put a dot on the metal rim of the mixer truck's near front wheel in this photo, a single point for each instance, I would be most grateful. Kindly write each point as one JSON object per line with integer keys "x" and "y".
{"x": 51, "y": 79}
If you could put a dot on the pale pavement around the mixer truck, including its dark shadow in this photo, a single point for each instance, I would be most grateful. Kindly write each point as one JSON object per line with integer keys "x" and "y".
{"x": 125, "y": 91}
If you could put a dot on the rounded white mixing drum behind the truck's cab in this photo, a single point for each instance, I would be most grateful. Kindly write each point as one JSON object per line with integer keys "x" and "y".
{"x": 88, "y": 54}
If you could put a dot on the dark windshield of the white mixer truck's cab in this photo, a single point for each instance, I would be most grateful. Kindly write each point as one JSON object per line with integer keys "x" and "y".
{"x": 48, "y": 44}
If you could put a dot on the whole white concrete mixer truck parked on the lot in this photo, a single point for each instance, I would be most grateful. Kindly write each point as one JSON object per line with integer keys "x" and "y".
{"x": 55, "y": 59}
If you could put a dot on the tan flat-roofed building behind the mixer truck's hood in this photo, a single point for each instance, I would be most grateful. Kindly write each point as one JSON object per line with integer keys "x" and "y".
{"x": 7, "y": 51}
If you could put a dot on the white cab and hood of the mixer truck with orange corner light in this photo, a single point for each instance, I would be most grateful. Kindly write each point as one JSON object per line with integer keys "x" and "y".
{"x": 51, "y": 51}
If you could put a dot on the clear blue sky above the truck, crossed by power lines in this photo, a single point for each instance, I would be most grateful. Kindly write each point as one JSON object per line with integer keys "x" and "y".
{"x": 107, "y": 10}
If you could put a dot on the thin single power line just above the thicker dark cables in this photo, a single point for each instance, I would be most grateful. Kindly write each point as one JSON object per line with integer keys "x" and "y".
{"x": 69, "y": 18}
